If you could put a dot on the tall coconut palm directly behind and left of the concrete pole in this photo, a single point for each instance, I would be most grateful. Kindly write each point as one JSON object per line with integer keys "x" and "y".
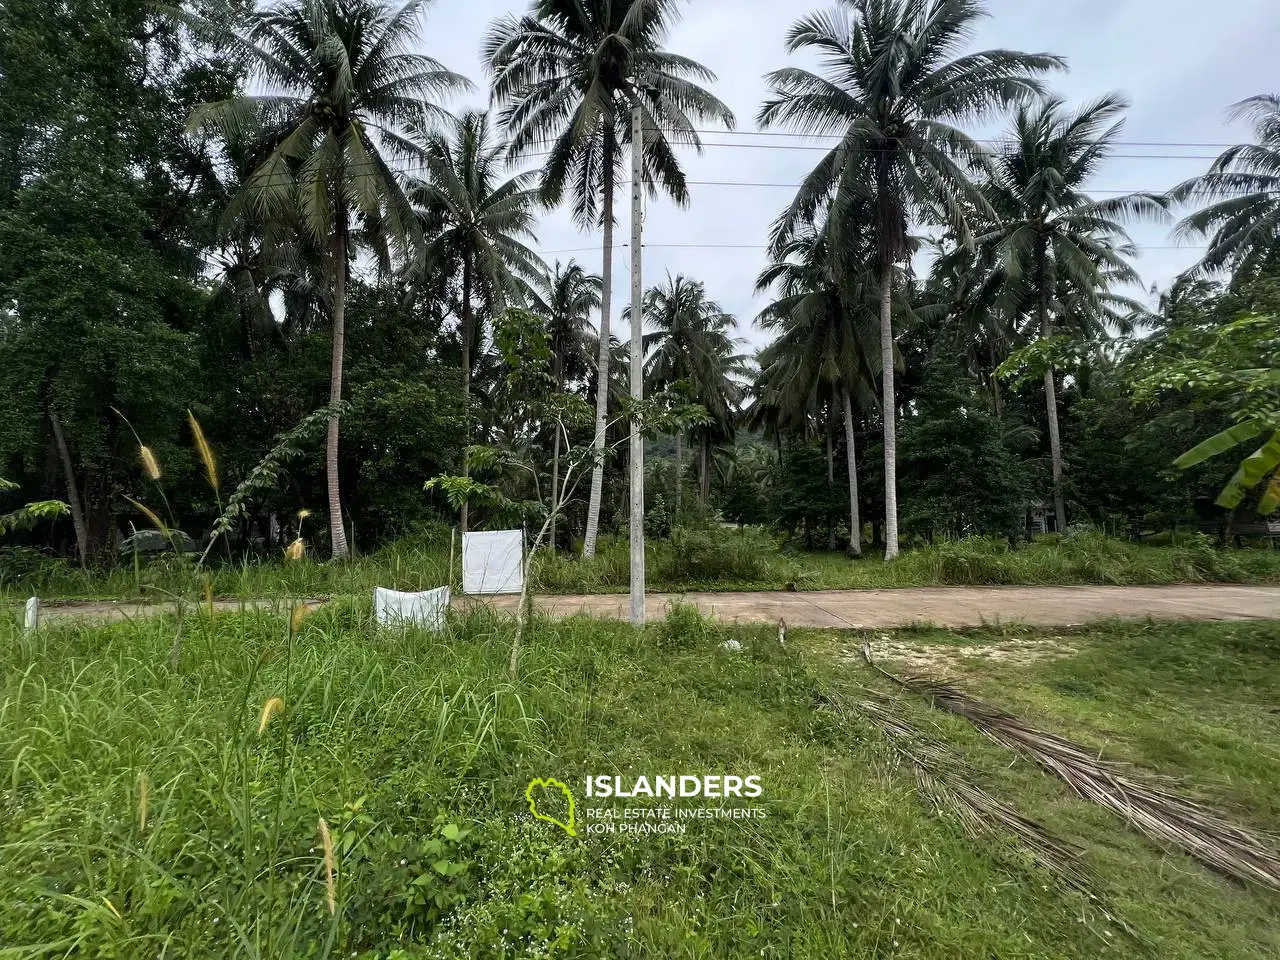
{"x": 569, "y": 74}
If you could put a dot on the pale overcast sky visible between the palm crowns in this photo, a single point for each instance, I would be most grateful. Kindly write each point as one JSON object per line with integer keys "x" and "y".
{"x": 1181, "y": 63}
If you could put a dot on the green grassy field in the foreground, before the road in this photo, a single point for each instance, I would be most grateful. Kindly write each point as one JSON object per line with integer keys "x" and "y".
{"x": 148, "y": 811}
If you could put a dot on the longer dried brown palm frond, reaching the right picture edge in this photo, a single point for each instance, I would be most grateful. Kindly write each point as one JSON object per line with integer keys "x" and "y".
{"x": 1148, "y": 807}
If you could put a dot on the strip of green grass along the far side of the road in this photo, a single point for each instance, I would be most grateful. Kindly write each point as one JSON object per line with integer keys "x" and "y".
{"x": 715, "y": 559}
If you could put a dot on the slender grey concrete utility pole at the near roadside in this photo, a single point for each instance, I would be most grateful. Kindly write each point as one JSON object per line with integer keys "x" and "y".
{"x": 638, "y": 579}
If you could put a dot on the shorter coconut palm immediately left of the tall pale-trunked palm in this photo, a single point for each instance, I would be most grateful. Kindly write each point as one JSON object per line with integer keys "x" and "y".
{"x": 825, "y": 354}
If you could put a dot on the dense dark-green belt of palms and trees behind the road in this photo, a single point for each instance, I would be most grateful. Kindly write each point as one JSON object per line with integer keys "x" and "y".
{"x": 184, "y": 255}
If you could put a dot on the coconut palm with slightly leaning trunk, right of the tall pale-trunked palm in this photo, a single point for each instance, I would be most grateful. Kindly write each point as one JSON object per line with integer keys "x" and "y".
{"x": 1057, "y": 253}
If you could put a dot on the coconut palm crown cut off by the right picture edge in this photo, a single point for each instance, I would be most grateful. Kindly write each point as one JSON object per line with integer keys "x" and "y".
{"x": 1244, "y": 194}
